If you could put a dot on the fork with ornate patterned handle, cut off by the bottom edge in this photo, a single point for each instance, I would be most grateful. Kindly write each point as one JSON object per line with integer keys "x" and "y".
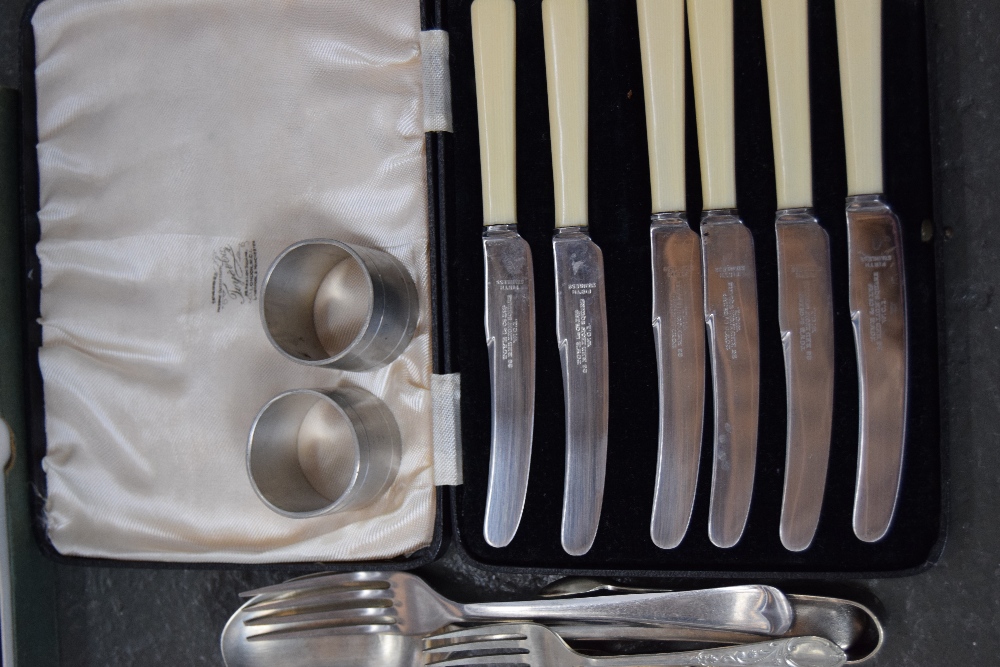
{"x": 532, "y": 645}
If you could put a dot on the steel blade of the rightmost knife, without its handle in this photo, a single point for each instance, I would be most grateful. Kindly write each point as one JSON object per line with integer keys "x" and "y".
{"x": 878, "y": 313}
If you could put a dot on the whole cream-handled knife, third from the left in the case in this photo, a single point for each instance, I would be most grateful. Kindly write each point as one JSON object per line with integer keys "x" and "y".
{"x": 677, "y": 283}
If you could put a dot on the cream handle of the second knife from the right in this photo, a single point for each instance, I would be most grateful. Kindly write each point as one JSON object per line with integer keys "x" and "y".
{"x": 786, "y": 39}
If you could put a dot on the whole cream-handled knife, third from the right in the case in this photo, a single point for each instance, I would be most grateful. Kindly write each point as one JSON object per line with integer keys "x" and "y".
{"x": 730, "y": 275}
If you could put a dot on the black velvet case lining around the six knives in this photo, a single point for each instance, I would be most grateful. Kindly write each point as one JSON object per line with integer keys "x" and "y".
{"x": 619, "y": 223}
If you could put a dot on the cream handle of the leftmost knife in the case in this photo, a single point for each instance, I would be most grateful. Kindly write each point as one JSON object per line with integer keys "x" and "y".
{"x": 493, "y": 49}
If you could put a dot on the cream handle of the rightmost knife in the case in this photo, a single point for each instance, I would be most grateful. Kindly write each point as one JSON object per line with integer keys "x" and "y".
{"x": 859, "y": 39}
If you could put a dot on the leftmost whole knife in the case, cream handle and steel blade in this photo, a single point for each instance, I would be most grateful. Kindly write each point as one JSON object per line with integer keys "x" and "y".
{"x": 510, "y": 302}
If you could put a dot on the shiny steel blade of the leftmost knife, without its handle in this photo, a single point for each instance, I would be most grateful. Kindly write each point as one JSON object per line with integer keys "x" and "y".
{"x": 510, "y": 341}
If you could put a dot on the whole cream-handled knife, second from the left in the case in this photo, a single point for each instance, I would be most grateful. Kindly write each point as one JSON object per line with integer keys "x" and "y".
{"x": 581, "y": 320}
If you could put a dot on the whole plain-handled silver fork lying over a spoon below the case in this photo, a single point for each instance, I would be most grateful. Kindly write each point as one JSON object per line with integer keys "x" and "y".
{"x": 363, "y": 602}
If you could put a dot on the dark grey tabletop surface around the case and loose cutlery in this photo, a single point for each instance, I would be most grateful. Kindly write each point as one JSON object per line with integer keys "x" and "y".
{"x": 947, "y": 616}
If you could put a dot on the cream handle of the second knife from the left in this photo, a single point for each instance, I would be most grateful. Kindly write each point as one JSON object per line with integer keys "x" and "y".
{"x": 565, "y": 25}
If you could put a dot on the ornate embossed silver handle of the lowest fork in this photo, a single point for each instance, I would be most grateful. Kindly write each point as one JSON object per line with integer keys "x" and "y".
{"x": 794, "y": 652}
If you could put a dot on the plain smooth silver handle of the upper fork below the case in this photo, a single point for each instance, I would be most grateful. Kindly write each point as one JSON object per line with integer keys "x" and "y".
{"x": 756, "y": 609}
